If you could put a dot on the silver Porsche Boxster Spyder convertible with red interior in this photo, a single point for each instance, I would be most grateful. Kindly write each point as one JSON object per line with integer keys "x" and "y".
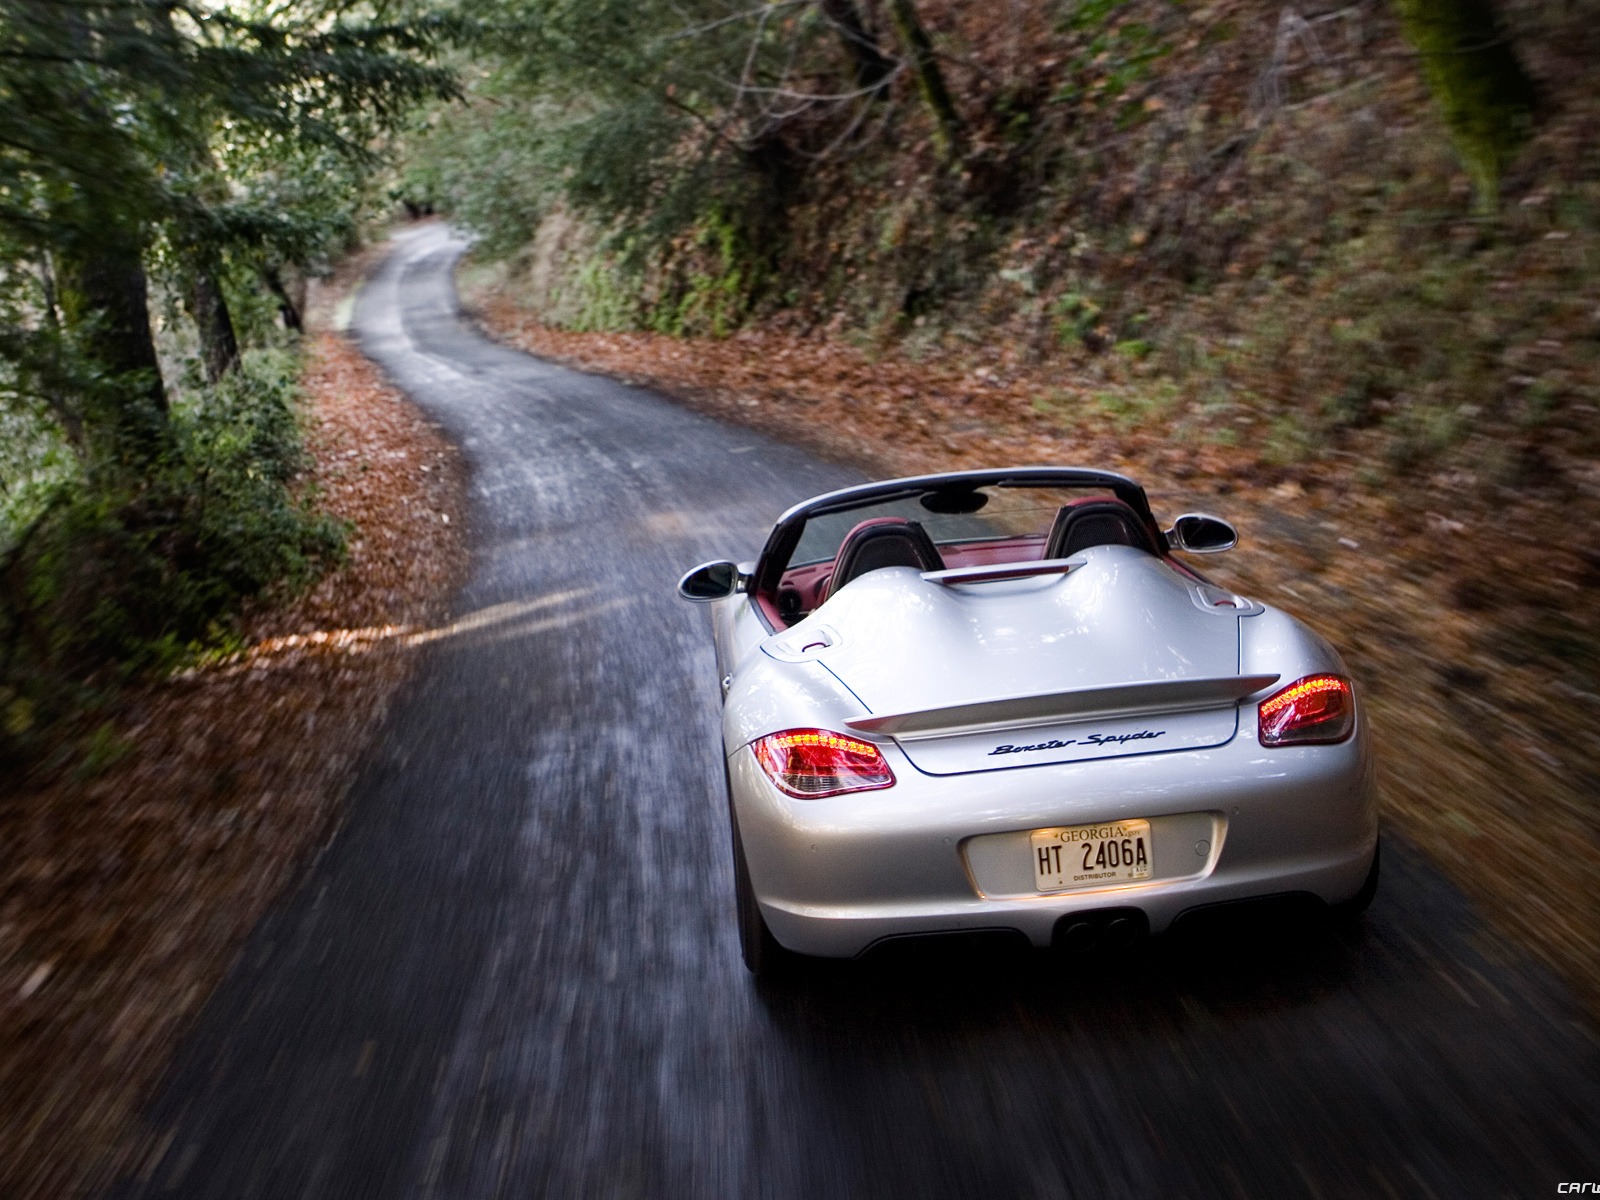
{"x": 994, "y": 700}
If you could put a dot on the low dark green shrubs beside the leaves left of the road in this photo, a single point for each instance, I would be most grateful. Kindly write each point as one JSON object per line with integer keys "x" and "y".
{"x": 145, "y": 570}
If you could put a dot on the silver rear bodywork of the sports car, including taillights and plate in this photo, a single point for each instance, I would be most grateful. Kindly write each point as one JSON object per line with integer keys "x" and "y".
{"x": 1257, "y": 778}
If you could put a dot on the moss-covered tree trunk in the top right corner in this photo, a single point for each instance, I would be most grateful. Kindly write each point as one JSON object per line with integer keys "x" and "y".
{"x": 1479, "y": 84}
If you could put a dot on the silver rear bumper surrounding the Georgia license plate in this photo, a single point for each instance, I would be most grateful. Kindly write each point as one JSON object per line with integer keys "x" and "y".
{"x": 935, "y": 855}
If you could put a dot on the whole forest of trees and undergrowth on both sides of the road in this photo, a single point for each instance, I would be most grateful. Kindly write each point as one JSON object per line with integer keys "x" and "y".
{"x": 1358, "y": 239}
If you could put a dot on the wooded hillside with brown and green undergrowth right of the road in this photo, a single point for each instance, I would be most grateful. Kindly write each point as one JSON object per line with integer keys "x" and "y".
{"x": 1362, "y": 234}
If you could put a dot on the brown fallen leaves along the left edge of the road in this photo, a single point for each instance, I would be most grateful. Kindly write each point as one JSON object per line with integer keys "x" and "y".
{"x": 124, "y": 897}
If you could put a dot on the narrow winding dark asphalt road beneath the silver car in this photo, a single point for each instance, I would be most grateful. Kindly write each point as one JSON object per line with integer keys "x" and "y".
{"x": 514, "y": 974}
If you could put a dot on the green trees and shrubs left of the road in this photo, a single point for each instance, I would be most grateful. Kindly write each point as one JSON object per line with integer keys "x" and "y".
{"x": 170, "y": 177}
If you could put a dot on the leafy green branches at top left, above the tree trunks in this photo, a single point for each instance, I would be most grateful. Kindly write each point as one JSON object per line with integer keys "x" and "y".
{"x": 138, "y": 113}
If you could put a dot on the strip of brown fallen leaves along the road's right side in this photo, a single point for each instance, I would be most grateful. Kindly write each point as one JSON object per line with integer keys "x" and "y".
{"x": 1489, "y": 762}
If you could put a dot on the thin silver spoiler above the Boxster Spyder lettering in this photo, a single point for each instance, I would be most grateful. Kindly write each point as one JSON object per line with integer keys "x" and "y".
{"x": 1124, "y": 700}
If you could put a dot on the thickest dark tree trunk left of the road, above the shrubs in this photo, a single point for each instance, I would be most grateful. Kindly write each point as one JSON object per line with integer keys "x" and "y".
{"x": 103, "y": 300}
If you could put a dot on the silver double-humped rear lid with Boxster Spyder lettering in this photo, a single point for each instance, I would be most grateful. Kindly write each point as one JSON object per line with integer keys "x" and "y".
{"x": 1121, "y": 655}
